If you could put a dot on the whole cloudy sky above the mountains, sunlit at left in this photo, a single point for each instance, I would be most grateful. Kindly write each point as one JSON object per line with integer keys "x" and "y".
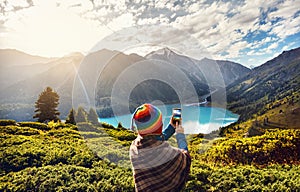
{"x": 249, "y": 32}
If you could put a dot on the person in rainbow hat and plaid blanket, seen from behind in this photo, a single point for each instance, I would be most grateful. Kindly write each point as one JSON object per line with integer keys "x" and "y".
{"x": 157, "y": 166}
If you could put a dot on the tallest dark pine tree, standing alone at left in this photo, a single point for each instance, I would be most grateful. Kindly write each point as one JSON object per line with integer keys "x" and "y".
{"x": 46, "y": 106}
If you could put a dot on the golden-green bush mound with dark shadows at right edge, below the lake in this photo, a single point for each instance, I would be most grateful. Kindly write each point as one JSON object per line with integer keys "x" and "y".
{"x": 277, "y": 146}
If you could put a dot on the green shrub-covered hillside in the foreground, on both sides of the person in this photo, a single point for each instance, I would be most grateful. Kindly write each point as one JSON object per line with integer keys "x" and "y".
{"x": 86, "y": 157}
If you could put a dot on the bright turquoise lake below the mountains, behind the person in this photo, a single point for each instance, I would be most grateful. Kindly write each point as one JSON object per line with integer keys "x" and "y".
{"x": 195, "y": 119}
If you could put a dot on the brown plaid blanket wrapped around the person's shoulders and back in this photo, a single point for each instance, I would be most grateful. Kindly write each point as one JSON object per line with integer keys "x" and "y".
{"x": 157, "y": 166}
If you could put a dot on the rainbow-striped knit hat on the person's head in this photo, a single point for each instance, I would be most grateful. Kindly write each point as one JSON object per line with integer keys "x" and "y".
{"x": 148, "y": 120}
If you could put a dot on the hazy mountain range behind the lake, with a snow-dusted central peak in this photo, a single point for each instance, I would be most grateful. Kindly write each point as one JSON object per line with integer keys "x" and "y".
{"x": 24, "y": 76}
